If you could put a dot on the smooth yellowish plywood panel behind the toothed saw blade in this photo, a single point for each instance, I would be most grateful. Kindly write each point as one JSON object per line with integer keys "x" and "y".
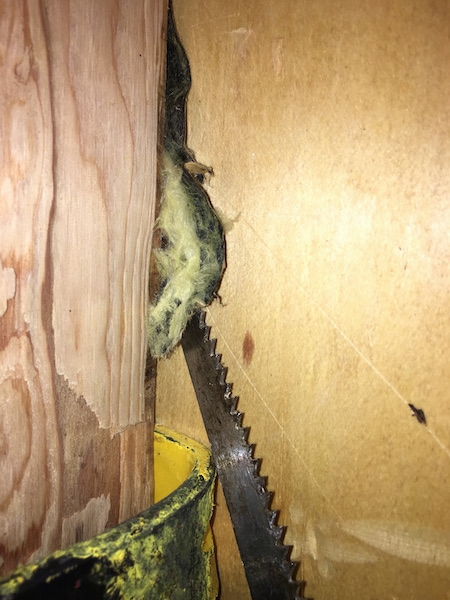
{"x": 327, "y": 124}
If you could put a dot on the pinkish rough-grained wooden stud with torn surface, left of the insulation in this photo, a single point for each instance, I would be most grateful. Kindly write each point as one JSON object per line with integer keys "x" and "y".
{"x": 78, "y": 117}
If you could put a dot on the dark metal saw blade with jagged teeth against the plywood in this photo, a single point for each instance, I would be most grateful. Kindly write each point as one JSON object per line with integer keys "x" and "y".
{"x": 268, "y": 568}
